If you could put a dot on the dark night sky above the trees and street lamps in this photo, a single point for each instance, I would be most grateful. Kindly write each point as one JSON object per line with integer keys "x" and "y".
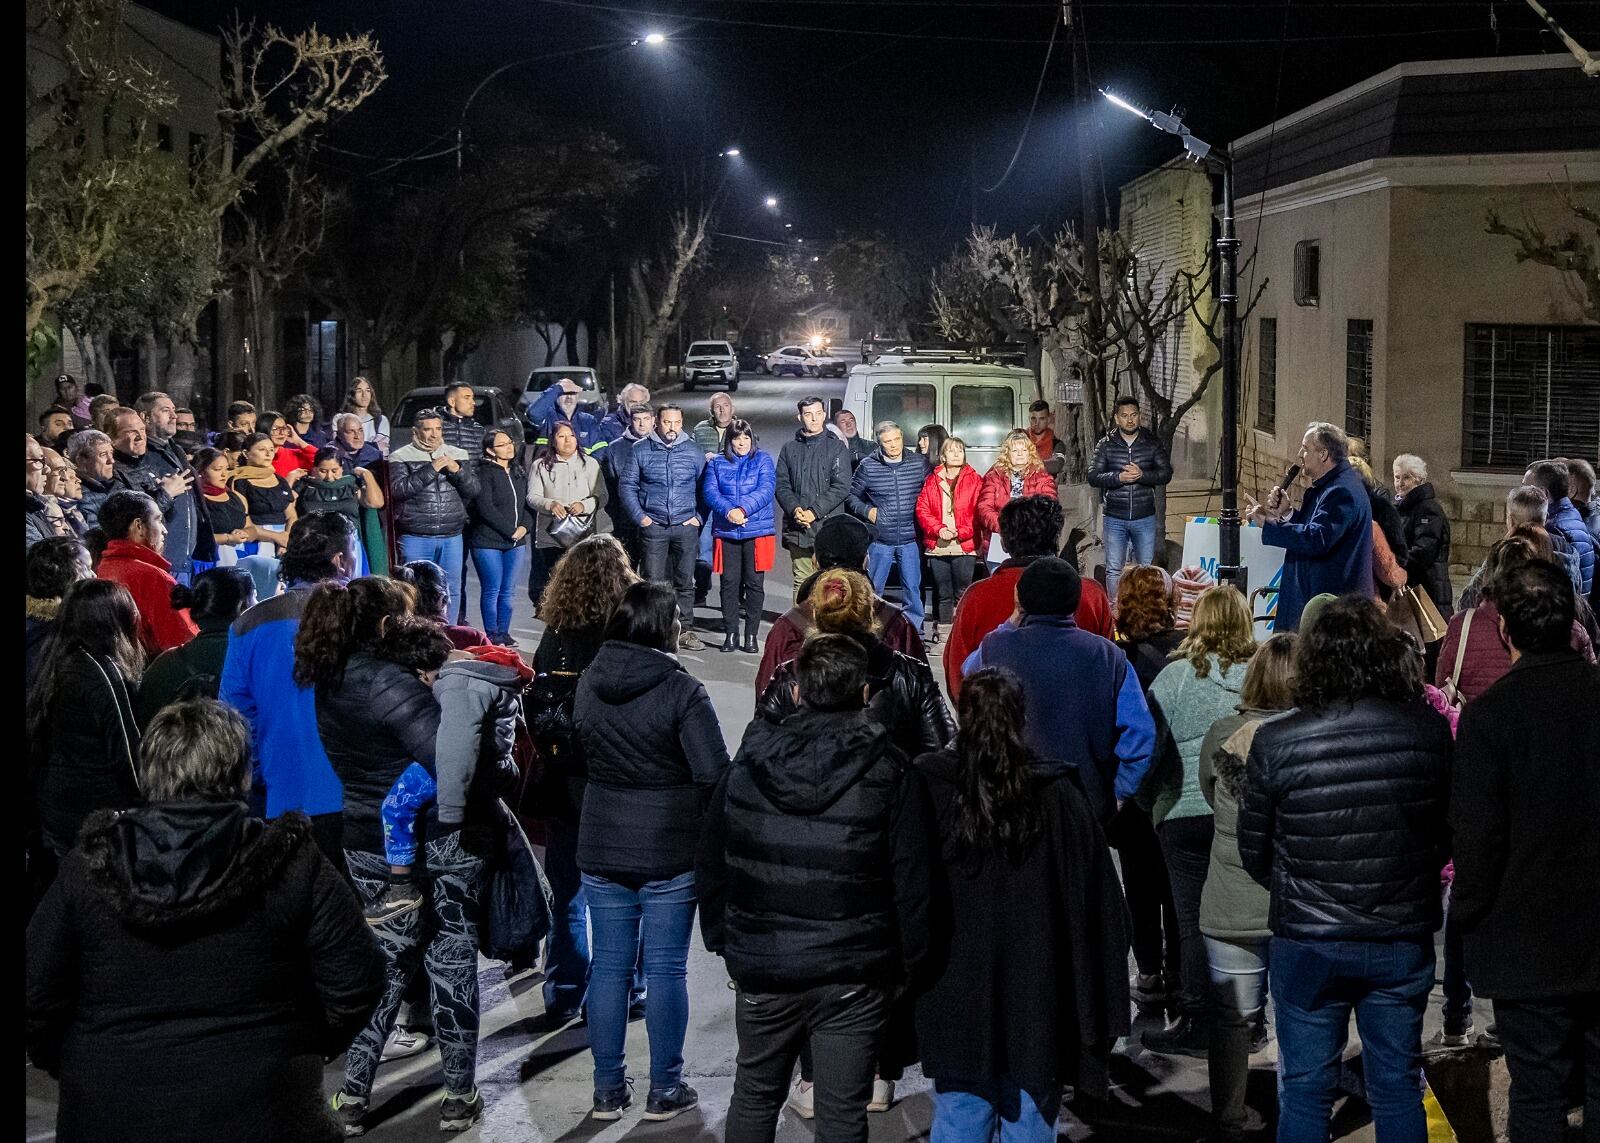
{"x": 889, "y": 114}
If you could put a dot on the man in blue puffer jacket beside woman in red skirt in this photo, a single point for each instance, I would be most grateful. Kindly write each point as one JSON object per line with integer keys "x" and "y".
{"x": 660, "y": 487}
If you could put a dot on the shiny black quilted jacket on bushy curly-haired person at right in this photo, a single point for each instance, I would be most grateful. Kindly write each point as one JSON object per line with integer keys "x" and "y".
{"x": 1345, "y": 820}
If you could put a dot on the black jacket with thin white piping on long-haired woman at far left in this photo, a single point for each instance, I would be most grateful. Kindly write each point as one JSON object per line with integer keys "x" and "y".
{"x": 89, "y": 756}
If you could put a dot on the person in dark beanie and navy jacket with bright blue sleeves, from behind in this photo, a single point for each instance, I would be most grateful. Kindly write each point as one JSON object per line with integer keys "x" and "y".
{"x": 1084, "y": 702}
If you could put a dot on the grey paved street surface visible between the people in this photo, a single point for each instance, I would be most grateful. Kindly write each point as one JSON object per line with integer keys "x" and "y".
{"x": 538, "y": 1083}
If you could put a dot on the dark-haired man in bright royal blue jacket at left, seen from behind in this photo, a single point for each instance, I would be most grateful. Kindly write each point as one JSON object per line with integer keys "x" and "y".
{"x": 292, "y": 766}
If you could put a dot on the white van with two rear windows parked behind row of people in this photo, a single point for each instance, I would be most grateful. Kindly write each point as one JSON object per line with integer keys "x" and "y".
{"x": 974, "y": 396}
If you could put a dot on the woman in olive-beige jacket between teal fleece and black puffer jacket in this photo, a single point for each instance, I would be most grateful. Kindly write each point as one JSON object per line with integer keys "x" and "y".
{"x": 1233, "y": 905}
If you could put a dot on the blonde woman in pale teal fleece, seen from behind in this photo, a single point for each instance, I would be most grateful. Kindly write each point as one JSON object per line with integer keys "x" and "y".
{"x": 1199, "y": 688}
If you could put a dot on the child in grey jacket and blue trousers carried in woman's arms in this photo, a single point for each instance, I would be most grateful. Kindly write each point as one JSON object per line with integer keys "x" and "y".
{"x": 479, "y": 702}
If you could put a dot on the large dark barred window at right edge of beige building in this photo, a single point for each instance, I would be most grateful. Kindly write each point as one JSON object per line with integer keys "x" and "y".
{"x": 1530, "y": 391}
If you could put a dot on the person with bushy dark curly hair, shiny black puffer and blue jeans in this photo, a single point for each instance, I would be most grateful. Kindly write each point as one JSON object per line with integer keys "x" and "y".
{"x": 1345, "y": 820}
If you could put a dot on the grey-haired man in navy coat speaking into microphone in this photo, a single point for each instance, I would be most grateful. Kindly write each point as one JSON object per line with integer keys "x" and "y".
{"x": 1329, "y": 540}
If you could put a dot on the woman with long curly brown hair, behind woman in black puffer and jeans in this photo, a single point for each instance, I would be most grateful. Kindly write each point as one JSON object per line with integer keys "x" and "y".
{"x": 585, "y": 590}
